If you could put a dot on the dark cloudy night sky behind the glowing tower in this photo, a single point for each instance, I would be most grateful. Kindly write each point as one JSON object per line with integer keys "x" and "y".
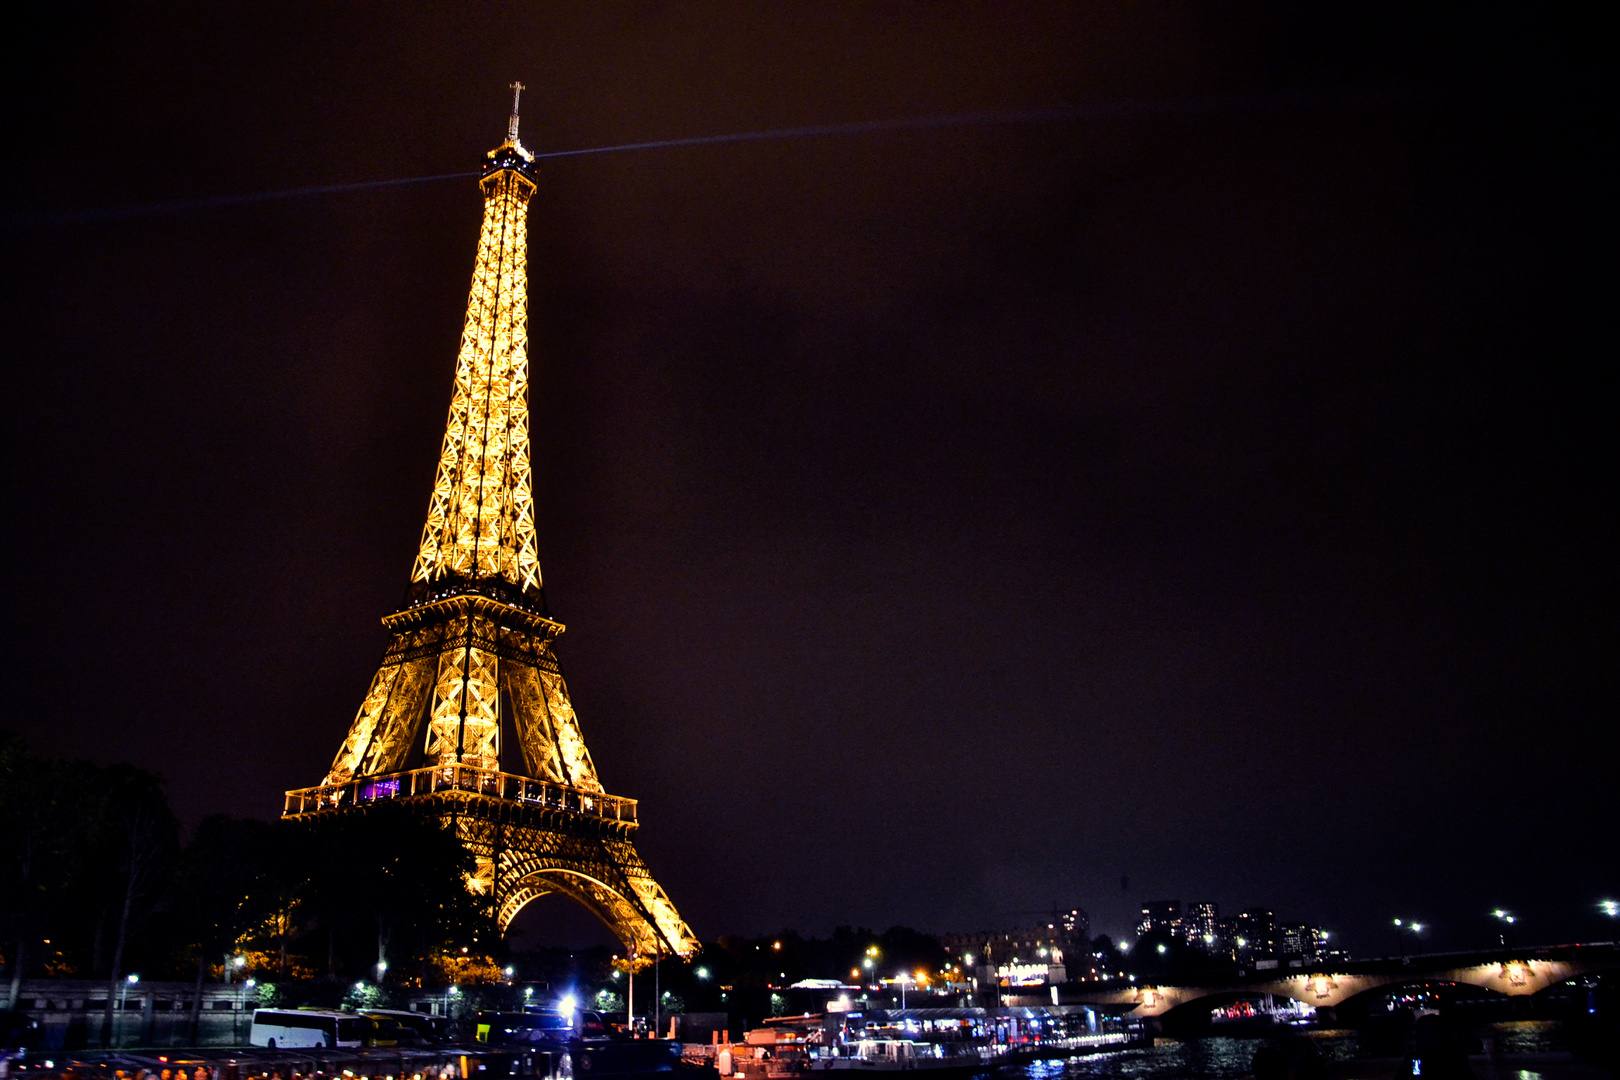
{"x": 949, "y": 522}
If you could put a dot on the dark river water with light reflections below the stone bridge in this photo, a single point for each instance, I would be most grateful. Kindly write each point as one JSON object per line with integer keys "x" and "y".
{"x": 1528, "y": 1050}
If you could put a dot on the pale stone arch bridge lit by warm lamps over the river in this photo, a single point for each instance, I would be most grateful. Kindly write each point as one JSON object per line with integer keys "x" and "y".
{"x": 1516, "y": 972}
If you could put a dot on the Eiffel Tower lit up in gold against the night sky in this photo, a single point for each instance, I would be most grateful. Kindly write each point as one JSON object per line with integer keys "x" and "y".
{"x": 469, "y": 681}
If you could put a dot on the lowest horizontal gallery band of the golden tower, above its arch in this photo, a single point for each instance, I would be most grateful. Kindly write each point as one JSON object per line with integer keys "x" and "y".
{"x": 461, "y": 778}
